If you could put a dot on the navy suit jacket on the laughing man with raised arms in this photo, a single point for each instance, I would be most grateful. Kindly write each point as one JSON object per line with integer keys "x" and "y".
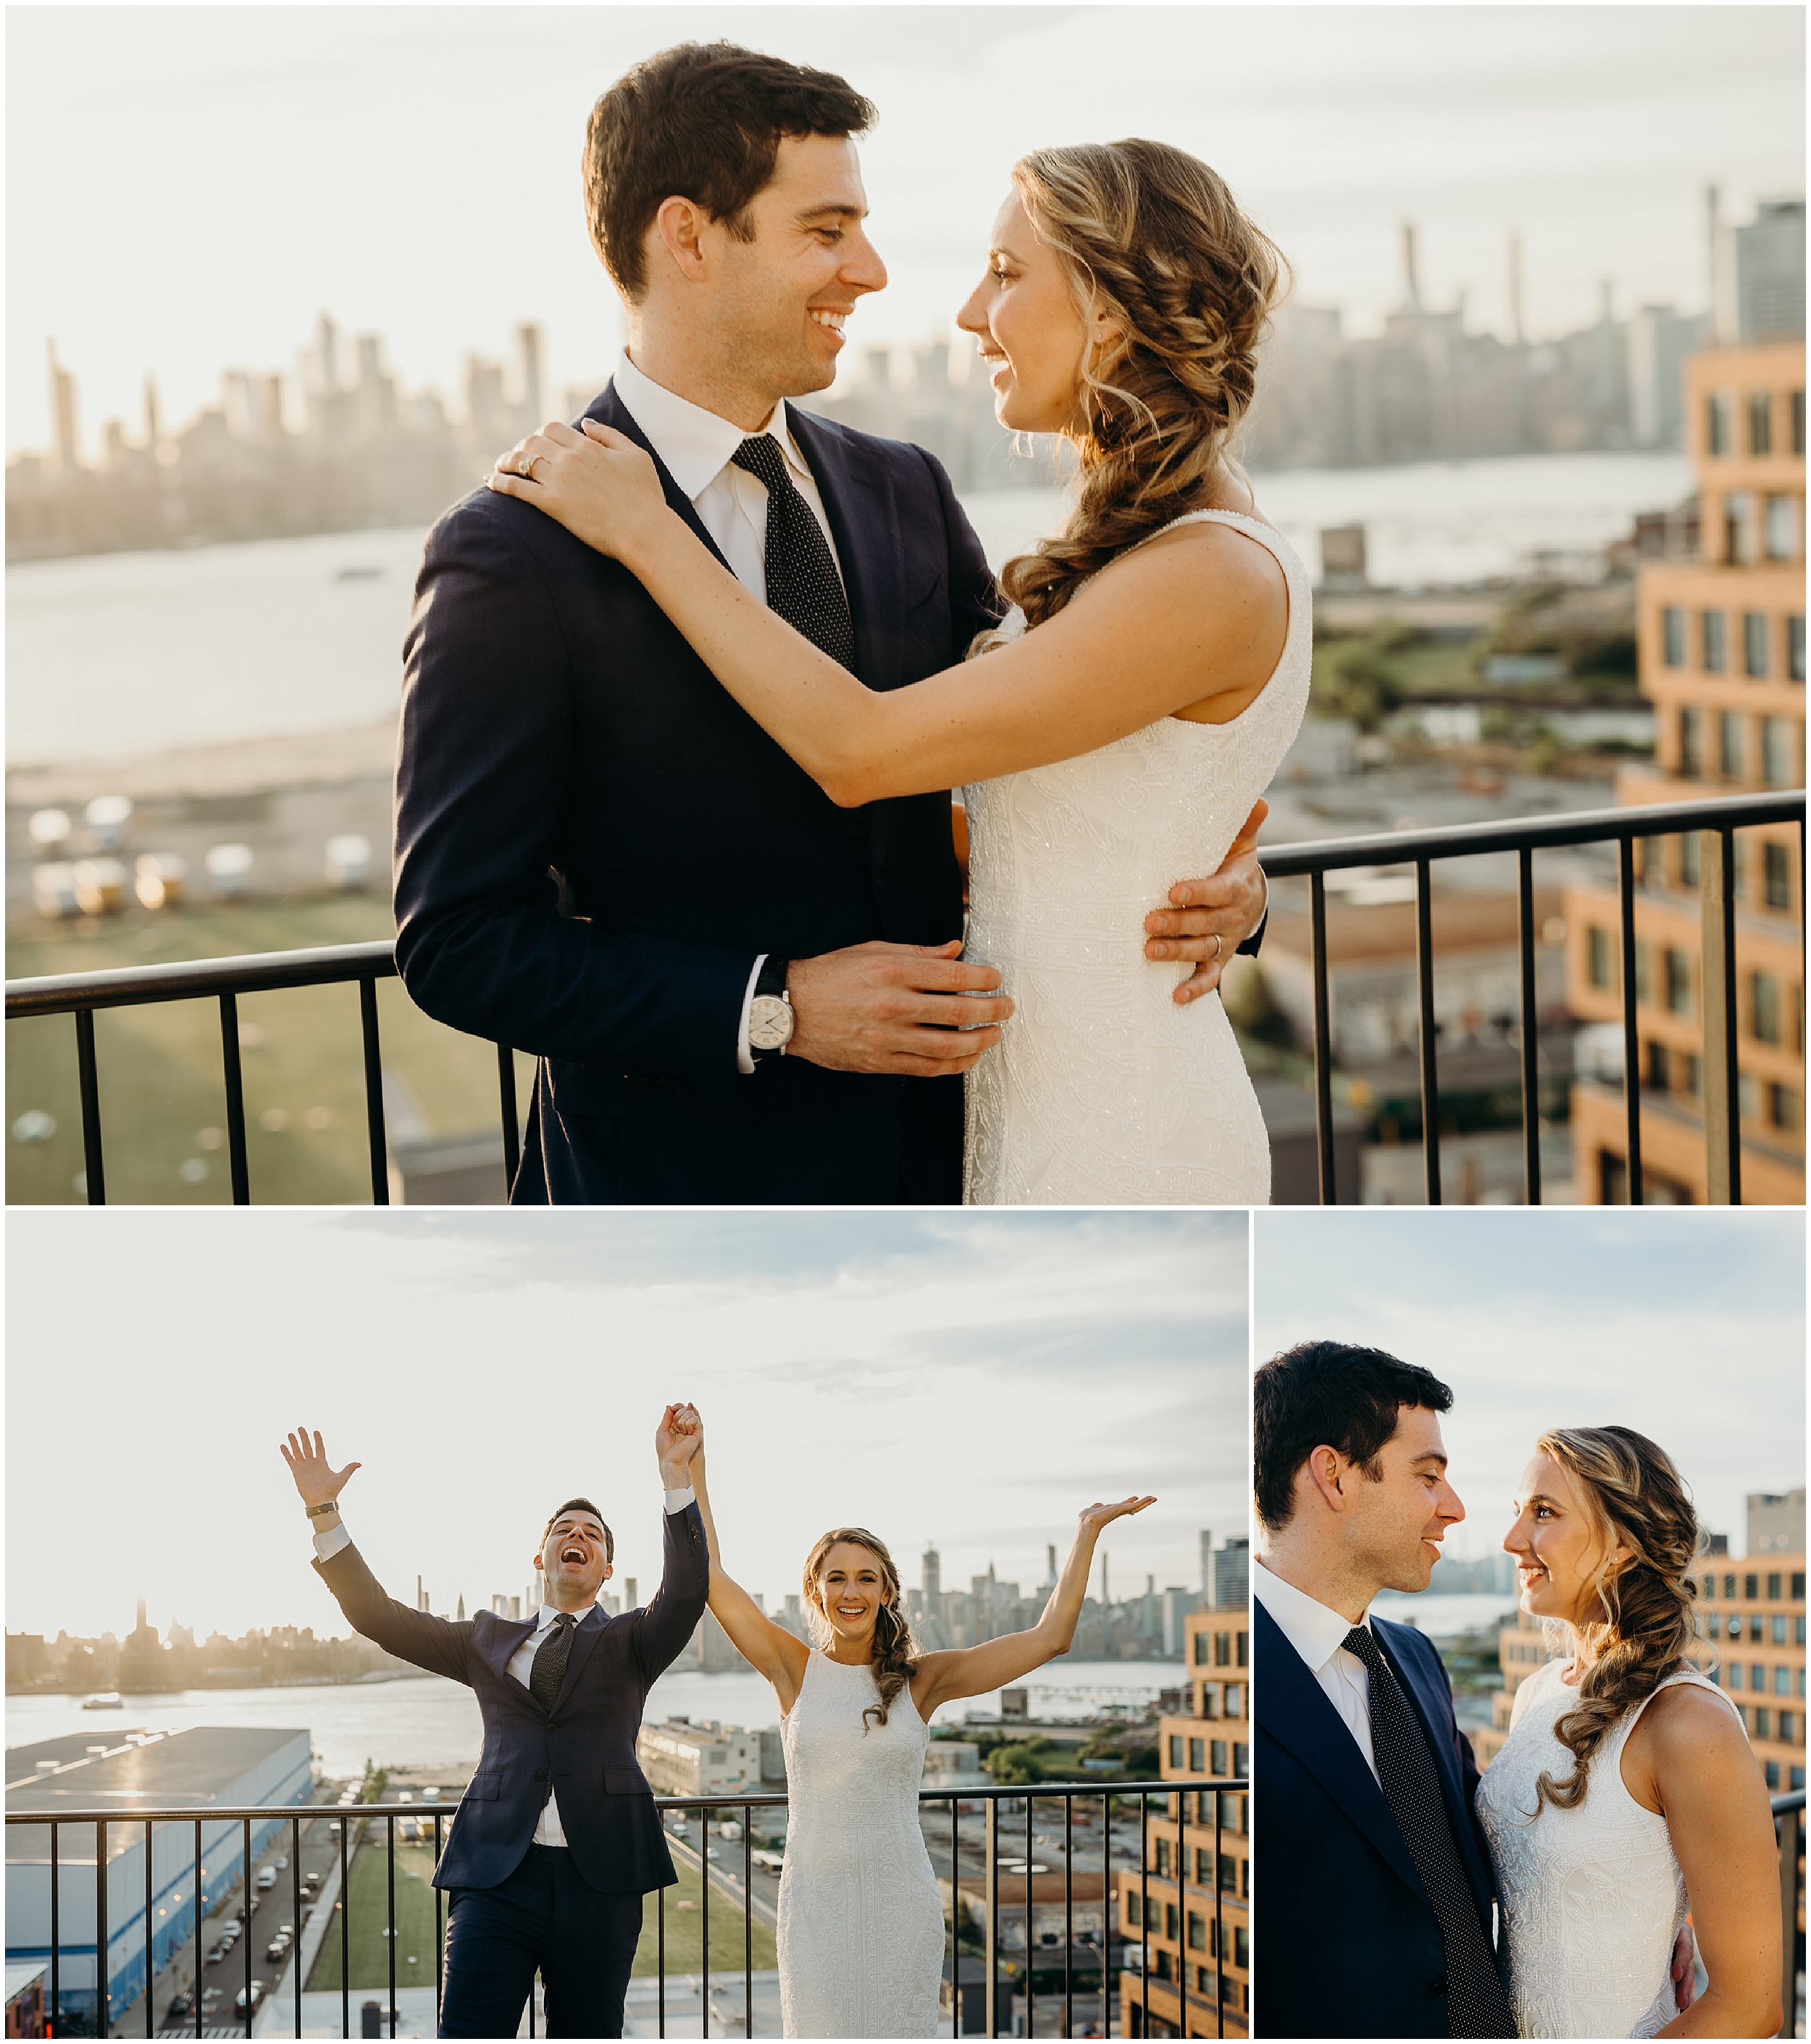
{"x": 586, "y": 1745}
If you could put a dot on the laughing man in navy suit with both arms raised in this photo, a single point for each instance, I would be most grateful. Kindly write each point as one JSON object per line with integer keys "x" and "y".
{"x": 557, "y": 1839}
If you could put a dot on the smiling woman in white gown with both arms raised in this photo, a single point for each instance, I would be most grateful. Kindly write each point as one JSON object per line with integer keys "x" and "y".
{"x": 862, "y": 1931}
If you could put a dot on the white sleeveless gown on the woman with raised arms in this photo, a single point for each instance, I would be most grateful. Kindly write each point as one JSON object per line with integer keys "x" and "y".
{"x": 862, "y": 1935}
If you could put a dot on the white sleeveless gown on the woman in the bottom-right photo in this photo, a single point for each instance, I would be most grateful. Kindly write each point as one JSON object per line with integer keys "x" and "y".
{"x": 1591, "y": 1898}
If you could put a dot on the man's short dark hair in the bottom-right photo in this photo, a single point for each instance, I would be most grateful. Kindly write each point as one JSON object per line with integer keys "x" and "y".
{"x": 1328, "y": 1395}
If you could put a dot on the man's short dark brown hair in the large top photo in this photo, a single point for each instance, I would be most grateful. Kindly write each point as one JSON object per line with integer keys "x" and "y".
{"x": 700, "y": 122}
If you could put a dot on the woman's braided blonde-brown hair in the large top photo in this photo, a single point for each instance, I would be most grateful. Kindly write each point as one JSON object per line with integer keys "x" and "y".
{"x": 1154, "y": 242}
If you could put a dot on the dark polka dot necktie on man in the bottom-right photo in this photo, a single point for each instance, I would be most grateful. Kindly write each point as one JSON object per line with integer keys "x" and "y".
{"x": 1477, "y": 2006}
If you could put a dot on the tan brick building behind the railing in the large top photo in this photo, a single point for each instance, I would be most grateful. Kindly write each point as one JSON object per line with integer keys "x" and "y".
{"x": 1722, "y": 657}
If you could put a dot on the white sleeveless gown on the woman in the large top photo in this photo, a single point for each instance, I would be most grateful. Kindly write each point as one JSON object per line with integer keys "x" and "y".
{"x": 1105, "y": 1090}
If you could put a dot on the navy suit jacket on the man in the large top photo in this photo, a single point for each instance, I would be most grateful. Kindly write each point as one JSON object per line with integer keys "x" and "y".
{"x": 596, "y": 841}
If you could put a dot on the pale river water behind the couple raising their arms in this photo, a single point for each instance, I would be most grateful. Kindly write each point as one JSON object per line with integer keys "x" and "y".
{"x": 430, "y": 1722}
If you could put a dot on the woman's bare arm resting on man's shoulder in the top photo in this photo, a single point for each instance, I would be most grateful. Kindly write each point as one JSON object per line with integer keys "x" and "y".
{"x": 1193, "y": 616}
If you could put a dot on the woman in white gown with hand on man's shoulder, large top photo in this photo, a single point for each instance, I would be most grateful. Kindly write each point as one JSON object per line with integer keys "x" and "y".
{"x": 1127, "y": 716}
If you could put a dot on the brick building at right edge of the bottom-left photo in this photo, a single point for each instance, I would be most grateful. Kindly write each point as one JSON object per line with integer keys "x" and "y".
{"x": 1193, "y": 1912}
